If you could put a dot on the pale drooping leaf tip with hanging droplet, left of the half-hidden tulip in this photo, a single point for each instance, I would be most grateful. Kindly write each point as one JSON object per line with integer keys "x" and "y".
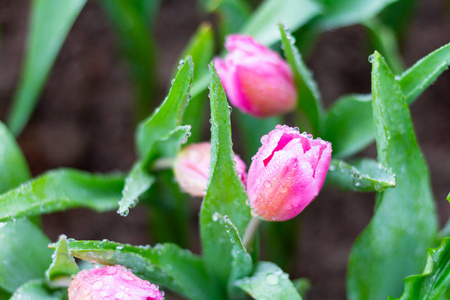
{"x": 137, "y": 182}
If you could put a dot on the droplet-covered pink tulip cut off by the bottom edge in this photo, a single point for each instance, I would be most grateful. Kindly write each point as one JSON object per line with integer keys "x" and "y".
{"x": 111, "y": 283}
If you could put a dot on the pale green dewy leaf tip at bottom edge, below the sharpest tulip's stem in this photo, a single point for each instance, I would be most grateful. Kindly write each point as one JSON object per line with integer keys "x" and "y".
{"x": 269, "y": 282}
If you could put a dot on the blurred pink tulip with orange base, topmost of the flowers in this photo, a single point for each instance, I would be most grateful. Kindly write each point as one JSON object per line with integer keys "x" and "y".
{"x": 256, "y": 79}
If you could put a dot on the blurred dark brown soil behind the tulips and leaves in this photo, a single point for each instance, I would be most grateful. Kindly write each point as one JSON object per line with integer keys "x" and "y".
{"x": 84, "y": 121}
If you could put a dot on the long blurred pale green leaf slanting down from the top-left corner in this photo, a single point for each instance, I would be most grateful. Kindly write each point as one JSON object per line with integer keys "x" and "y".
{"x": 51, "y": 21}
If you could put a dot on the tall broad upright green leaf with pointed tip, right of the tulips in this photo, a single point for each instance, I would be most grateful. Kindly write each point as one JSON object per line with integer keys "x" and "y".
{"x": 393, "y": 244}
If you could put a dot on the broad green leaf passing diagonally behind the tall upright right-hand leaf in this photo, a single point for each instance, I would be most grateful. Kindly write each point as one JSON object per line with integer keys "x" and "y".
{"x": 349, "y": 125}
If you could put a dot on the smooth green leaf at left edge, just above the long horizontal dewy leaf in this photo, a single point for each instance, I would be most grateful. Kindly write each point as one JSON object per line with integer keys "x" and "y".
{"x": 13, "y": 167}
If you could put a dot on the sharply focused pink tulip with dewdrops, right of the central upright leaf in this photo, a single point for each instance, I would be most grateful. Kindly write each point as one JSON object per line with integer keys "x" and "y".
{"x": 287, "y": 173}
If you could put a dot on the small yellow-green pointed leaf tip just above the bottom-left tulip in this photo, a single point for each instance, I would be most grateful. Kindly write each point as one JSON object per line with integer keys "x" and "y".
{"x": 63, "y": 265}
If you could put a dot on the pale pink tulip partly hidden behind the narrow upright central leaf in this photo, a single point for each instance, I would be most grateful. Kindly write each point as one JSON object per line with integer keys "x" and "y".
{"x": 191, "y": 168}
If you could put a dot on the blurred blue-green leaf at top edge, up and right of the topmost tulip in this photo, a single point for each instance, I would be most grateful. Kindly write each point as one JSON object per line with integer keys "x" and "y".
{"x": 340, "y": 13}
